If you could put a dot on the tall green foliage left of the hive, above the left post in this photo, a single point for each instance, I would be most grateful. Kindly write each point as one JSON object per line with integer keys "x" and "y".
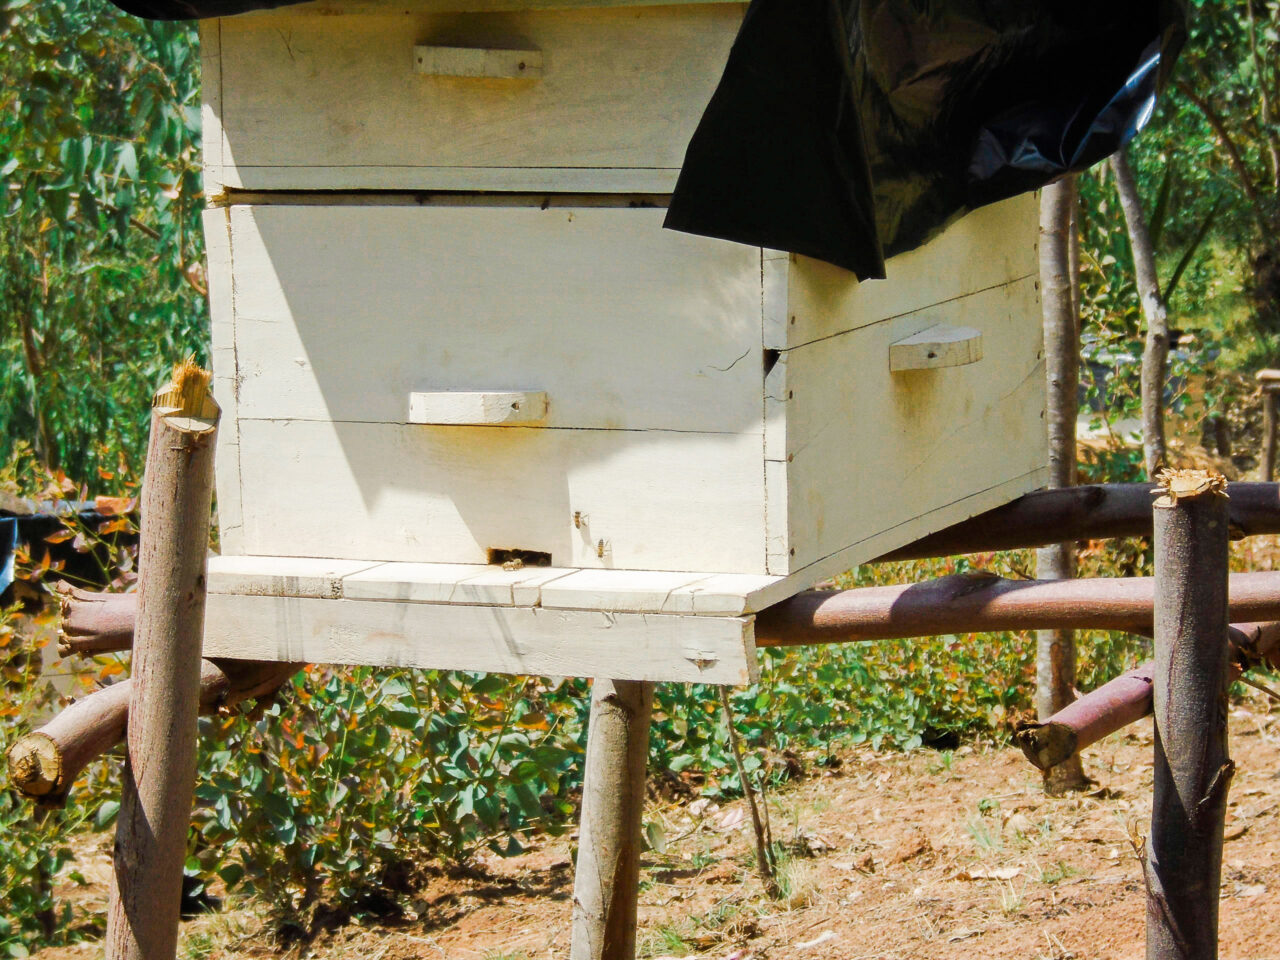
{"x": 100, "y": 248}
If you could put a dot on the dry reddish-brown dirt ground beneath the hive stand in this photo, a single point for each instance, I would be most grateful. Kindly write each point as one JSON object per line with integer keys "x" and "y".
{"x": 895, "y": 856}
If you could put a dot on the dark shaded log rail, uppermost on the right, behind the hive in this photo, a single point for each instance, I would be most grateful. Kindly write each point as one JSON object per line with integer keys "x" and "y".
{"x": 1094, "y": 513}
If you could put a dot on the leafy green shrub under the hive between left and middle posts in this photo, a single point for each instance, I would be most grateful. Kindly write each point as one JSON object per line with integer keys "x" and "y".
{"x": 341, "y": 793}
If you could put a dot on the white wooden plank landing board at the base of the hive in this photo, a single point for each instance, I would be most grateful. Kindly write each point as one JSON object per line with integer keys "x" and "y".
{"x": 477, "y": 618}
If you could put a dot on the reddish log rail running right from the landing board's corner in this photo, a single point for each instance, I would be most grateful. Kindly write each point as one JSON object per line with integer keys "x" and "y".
{"x": 981, "y": 604}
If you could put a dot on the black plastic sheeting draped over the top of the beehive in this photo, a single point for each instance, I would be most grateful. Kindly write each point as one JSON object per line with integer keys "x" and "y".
{"x": 854, "y": 130}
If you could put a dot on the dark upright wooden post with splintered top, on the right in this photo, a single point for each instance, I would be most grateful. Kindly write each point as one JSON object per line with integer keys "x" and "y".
{"x": 1183, "y": 862}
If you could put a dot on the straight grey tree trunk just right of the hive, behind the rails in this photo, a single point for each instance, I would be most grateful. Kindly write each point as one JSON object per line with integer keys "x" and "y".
{"x": 1055, "y": 650}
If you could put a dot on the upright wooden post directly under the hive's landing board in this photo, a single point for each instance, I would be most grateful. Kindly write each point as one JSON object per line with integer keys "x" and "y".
{"x": 607, "y": 874}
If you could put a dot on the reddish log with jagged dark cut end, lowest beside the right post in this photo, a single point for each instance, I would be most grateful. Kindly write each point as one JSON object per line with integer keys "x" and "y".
{"x": 1128, "y": 700}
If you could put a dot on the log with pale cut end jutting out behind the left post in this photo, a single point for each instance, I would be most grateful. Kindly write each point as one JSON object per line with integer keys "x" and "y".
{"x": 47, "y": 762}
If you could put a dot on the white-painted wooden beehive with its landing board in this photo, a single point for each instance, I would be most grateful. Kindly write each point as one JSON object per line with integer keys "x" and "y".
{"x": 450, "y": 332}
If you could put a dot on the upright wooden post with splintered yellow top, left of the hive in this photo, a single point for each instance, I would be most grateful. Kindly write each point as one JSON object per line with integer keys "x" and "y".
{"x": 161, "y": 765}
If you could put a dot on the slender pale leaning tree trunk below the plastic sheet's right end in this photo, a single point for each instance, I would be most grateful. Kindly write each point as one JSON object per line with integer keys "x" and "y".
{"x": 1155, "y": 355}
